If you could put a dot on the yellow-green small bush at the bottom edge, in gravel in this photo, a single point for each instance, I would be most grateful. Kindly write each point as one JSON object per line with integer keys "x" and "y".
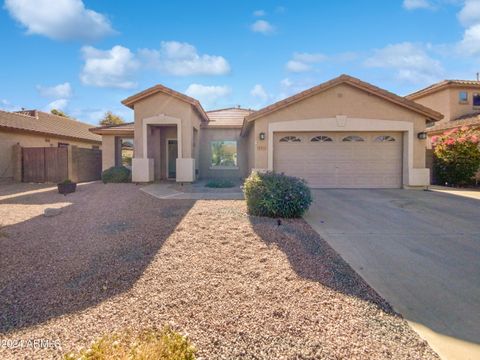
{"x": 149, "y": 345}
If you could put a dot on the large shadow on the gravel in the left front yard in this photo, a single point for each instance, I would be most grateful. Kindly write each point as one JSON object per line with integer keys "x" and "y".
{"x": 96, "y": 248}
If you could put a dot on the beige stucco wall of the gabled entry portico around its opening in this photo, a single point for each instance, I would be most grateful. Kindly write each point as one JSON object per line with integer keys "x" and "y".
{"x": 165, "y": 104}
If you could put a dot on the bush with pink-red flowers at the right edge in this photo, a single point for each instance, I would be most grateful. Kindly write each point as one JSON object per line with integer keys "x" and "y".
{"x": 457, "y": 155}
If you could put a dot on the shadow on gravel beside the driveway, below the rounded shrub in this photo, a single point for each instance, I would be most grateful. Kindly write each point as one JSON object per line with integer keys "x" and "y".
{"x": 313, "y": 259}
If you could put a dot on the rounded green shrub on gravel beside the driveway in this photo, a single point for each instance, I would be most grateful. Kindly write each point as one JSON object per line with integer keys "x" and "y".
{"x": 276, "y": 195}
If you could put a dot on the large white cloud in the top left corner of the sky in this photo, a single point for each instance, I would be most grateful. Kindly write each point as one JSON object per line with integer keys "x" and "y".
{"x": 60, "y": 20}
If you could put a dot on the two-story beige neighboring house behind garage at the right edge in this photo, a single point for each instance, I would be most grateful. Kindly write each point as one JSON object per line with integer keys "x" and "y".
{"x": 457, "y": 100}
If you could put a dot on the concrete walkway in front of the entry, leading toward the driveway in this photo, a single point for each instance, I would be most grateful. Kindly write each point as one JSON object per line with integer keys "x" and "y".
{"x": 168, "y": 190}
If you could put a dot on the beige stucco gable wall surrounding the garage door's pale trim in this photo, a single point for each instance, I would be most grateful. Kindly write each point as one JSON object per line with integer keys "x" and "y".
{"x": 341, "y": 100}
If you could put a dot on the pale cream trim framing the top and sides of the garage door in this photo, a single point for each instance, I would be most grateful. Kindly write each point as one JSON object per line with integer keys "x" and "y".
{"x": 342, "y": 123}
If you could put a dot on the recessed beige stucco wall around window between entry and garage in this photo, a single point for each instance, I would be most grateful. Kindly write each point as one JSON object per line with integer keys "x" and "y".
{"x": 207, "y": 135}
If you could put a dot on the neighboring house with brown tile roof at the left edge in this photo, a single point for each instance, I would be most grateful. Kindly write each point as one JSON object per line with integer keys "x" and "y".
{"x": 33, "y": 128}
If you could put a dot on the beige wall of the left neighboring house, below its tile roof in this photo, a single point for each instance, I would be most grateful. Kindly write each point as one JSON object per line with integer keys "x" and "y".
{"x": 8, "y": 139}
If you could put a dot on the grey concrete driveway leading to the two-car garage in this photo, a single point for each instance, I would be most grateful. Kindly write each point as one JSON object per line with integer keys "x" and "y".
{"x": 420, "y": 250}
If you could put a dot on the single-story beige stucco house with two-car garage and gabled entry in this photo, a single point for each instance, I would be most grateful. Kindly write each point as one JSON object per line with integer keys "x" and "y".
{"x": 343, "y": 133}
